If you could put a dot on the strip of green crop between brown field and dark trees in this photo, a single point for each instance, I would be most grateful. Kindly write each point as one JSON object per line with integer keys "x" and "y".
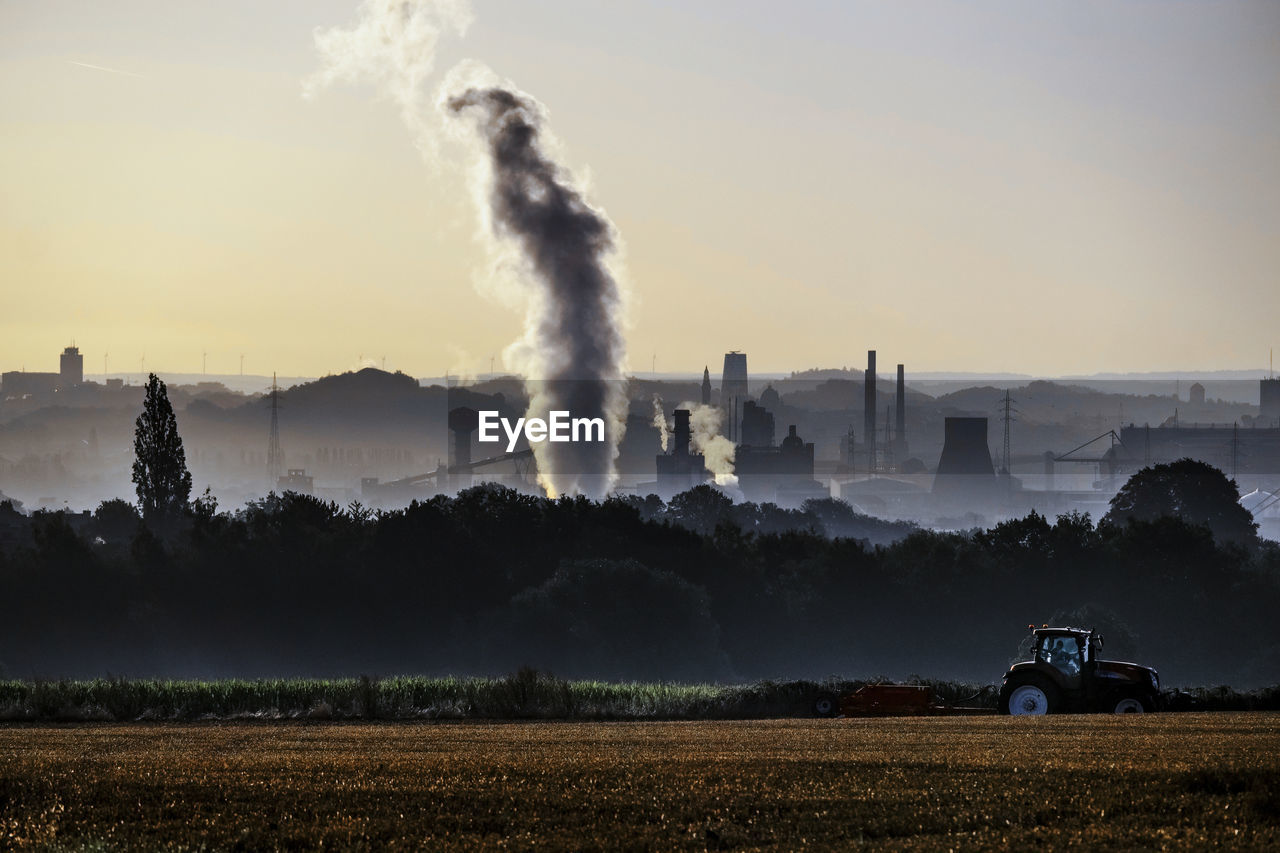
{"x": 524, "y": 696}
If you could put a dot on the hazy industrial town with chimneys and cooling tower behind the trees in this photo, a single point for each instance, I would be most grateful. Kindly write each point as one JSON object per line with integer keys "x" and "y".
{"x": 945, "y": 451}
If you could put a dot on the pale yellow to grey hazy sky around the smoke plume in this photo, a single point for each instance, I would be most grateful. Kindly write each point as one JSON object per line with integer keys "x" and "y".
{"x": 1041, "y": 188}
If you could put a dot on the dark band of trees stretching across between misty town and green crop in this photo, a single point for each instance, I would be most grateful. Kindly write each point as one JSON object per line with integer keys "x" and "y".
{"x": 697, "y": 589}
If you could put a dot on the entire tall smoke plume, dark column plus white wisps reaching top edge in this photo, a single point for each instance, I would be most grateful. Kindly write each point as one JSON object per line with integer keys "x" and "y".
{"x": 550, "y": 250}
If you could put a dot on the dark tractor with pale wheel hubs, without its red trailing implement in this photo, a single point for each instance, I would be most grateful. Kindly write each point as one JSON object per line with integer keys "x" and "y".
{"x": 1068, "y": 677}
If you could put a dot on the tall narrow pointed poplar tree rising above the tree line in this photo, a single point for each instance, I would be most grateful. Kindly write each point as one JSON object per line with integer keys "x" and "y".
{"x": 161, "y": 466}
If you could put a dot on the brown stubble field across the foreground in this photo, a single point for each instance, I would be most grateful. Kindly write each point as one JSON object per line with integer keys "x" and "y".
{"x": 972, "y": 783}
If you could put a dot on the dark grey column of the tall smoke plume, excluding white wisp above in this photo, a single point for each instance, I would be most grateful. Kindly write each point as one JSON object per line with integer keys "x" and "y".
{"x": 577, "y": 314}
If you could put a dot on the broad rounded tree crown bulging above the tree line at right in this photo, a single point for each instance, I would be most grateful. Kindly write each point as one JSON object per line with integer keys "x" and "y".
{"x": 1190, "y": 490}
